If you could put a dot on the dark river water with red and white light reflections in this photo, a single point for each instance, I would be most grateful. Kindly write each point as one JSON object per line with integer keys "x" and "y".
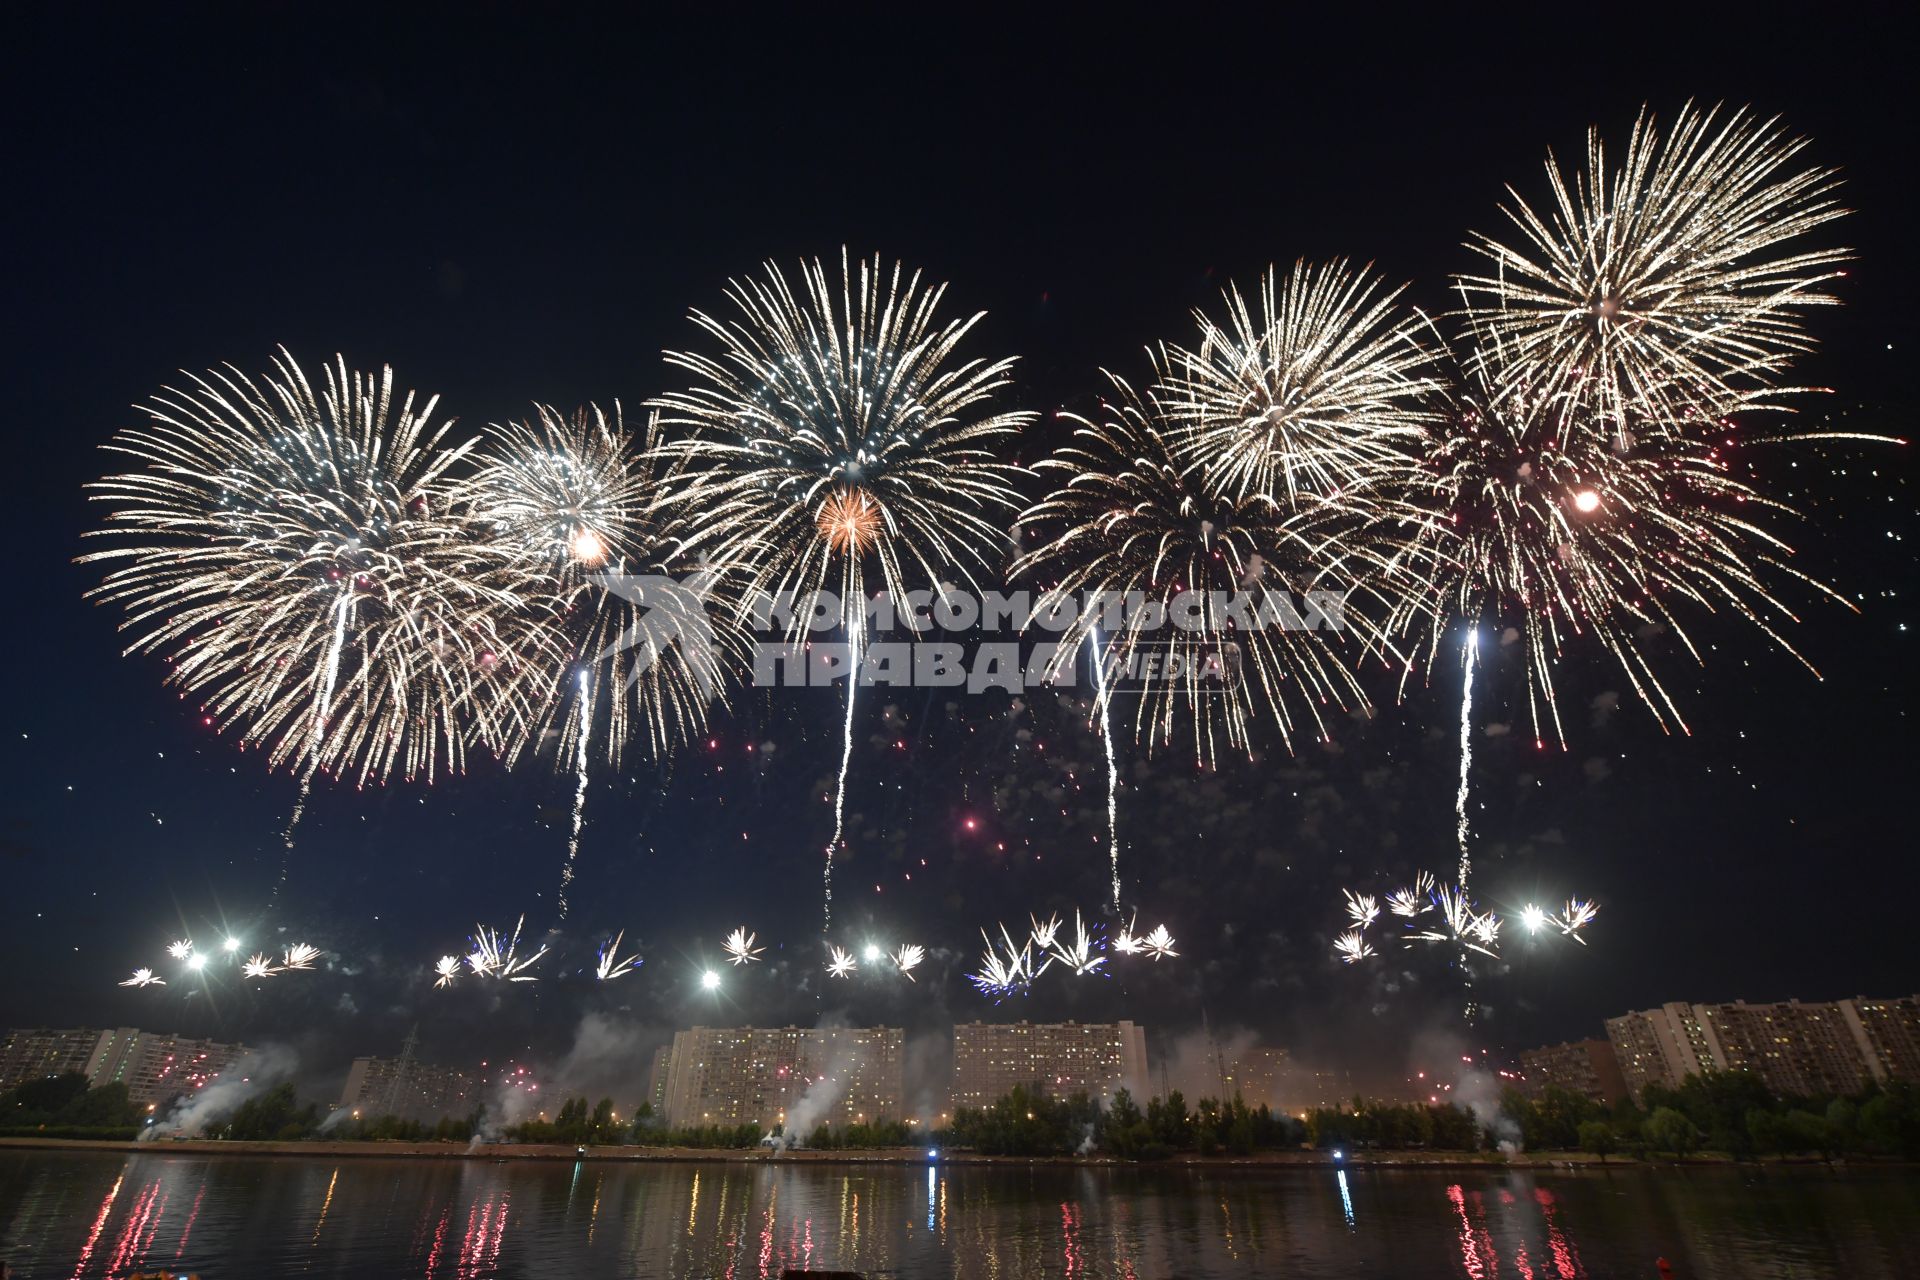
{"x": 235, "y": 1216}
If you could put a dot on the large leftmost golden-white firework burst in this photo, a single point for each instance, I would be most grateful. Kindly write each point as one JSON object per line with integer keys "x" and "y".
{"x": 300, "y": 567}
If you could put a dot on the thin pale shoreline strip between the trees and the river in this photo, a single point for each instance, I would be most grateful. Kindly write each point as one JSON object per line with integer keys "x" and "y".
{"x": 502, "y": 1152}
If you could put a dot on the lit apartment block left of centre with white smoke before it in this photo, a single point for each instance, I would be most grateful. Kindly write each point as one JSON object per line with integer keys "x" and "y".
{"x": 784, "y": 1076}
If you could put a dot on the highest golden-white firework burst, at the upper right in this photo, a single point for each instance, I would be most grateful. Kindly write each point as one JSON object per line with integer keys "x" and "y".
{"x": 1666, "y": 293}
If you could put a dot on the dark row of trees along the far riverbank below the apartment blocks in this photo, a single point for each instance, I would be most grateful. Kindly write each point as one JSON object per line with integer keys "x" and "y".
{"x": 1731, "y": 1112}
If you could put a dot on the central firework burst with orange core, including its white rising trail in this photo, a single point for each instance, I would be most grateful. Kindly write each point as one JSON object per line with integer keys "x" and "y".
{"x": 836, "y": 435}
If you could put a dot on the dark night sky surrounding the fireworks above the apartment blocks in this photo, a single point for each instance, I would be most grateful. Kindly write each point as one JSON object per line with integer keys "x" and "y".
{"x": 516, "y": 208}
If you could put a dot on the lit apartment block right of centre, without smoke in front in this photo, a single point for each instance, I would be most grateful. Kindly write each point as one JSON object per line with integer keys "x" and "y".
{"x": 1055, "y": 1058}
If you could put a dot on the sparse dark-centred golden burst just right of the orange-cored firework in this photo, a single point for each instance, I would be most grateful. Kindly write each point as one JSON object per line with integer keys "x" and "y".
{"x": 1126, "y": 517}
